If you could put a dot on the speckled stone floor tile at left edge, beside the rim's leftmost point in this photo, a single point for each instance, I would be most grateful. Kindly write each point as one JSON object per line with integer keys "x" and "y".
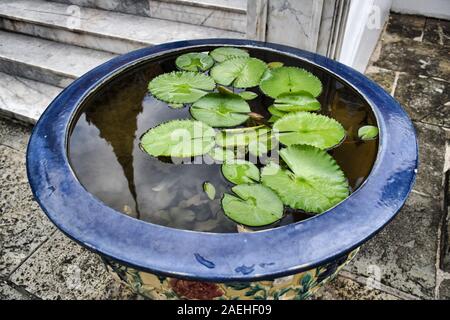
{"x": 23, "y": 226}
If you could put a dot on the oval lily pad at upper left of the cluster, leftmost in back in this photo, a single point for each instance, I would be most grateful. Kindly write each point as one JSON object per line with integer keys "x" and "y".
{"x": 181, "y": 86}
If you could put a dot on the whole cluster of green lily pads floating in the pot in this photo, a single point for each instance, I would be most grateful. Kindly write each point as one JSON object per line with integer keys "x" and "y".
{"x": 307, "y": 177}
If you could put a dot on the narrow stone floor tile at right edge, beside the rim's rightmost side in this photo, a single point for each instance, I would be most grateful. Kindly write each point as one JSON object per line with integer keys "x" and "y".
{"x": 431, "y": 141}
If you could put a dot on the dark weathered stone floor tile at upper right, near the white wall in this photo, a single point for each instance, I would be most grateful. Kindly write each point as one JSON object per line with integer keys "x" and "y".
{"x": 415, "y": 57}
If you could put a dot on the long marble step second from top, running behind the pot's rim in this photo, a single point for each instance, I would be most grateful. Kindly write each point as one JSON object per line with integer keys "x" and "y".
{"x": 97, "y": 29}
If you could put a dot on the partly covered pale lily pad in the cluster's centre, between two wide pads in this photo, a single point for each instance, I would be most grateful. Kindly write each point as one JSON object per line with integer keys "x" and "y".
{"x": 240, "y": 137}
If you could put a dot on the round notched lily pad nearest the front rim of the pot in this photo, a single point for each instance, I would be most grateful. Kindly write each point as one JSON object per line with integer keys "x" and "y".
{"x": 254, "y": 205}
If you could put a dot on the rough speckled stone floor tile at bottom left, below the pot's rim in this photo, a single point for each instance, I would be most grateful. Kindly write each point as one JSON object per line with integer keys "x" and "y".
{"x": 61, "y": 269}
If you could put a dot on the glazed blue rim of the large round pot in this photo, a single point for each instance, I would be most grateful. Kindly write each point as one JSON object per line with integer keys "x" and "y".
{"x": 221, "y": 257}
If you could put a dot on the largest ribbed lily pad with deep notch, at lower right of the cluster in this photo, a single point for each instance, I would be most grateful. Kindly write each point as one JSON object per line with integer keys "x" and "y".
{"x": 315, "y": 184}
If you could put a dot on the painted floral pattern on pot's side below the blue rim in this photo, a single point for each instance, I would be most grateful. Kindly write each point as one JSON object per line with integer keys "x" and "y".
{"x": 294, "y": 287}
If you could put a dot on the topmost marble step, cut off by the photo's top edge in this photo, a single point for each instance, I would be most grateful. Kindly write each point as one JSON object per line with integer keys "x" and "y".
{"x": 222, "y": 14}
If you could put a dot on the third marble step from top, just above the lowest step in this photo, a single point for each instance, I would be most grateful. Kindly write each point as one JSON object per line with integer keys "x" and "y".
{"x": 46, "y": 61}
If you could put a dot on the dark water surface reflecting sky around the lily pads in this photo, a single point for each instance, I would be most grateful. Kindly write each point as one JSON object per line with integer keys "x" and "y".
{"x": 105, "y": 153}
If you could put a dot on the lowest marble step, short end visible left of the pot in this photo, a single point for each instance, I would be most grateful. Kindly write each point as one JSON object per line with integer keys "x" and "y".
{"x": 23, "y": 99}
